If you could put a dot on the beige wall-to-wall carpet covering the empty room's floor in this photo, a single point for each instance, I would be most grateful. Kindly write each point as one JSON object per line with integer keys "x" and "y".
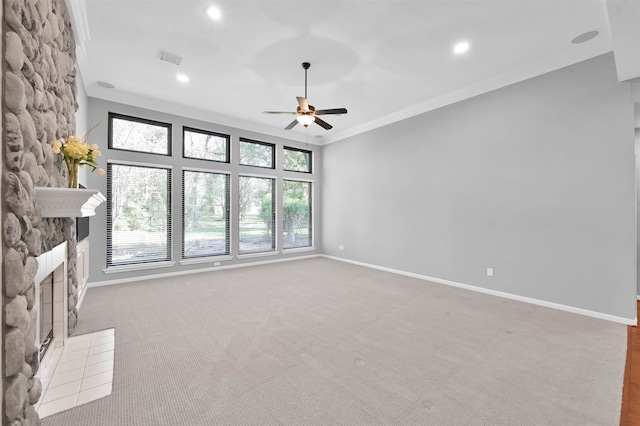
{"x": 322, "y": 342}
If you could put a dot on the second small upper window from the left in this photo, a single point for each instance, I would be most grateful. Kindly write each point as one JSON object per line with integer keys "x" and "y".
{"x": 205, "y": 145}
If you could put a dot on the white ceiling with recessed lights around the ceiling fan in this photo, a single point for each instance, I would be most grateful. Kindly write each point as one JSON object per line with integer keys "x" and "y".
{"x": 384, "y": 60}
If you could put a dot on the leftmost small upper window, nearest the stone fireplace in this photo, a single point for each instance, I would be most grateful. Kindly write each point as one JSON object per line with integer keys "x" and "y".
{"x": 137, "y": 134}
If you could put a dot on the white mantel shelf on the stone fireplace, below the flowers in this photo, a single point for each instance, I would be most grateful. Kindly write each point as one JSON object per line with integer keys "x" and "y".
{"x": 68, "y": 202}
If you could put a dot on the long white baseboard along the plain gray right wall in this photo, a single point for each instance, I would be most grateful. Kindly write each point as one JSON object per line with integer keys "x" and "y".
{"x": 511, "y": 296}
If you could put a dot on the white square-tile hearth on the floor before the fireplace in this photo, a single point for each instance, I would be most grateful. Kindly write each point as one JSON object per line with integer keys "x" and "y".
{"x": 79, "y": 372}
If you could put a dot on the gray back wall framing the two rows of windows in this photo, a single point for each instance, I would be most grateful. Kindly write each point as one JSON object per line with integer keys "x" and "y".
{"x": 98, "y": 113}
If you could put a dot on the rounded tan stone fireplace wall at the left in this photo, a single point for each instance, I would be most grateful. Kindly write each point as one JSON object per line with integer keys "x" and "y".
{"x": 39, "y": 105}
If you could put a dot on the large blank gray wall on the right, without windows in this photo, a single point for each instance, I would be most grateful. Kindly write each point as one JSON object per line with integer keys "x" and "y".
{"x": 536, "y": 180}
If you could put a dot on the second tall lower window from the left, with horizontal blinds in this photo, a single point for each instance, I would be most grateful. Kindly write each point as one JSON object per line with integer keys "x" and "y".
{"x": 205, "y": 202}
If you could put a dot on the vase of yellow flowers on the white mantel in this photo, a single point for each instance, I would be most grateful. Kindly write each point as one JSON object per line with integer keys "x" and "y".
{"x": 78, "y": 153}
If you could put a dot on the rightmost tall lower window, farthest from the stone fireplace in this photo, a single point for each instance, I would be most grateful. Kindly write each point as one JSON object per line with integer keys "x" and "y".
{"x": 296, "y": 211}
